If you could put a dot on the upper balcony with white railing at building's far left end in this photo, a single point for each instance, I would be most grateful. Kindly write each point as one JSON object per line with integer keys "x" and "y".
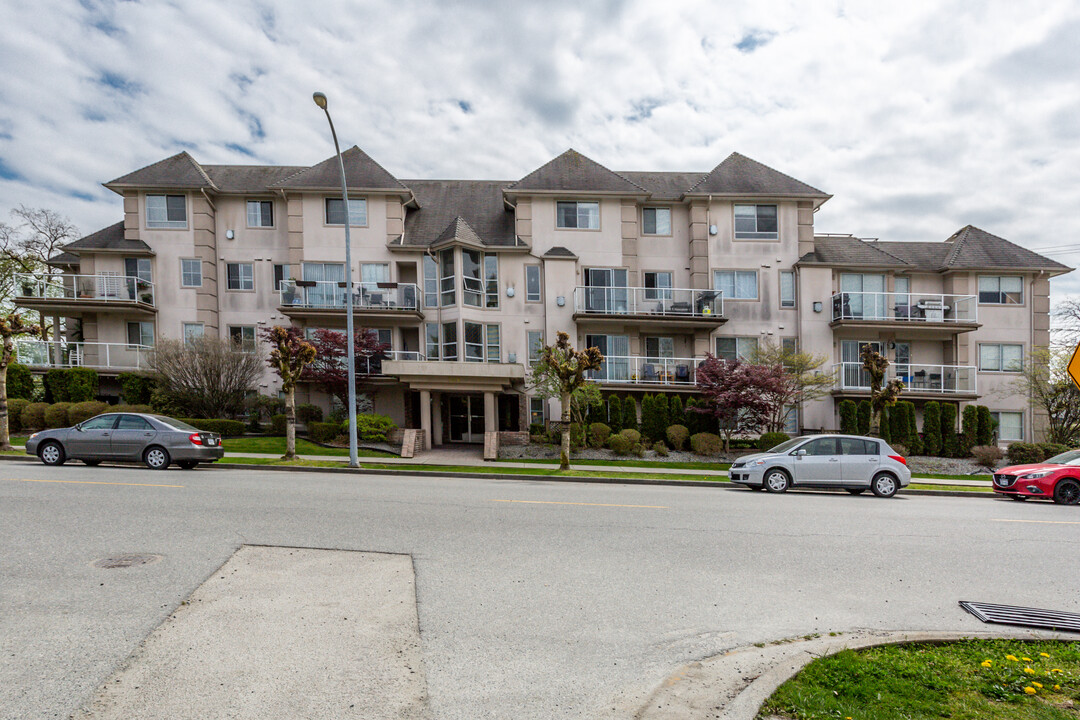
{"x": 65, "y": 293}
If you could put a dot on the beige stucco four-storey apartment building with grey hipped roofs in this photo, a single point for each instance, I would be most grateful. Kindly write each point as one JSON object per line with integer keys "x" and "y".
{"x": 467, "y": 279}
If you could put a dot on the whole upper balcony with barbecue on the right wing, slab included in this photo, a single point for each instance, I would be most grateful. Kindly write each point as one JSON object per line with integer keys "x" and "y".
{"x": 955, "y": 314}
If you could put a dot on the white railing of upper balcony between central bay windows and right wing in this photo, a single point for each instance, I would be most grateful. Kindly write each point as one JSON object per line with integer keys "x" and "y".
{"x": 669, "y": 302}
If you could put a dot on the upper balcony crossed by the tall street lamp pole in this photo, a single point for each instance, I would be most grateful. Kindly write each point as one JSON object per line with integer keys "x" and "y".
{"x": 306, "y": 298}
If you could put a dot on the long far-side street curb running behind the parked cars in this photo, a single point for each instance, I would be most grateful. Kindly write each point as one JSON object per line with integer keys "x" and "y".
{"x": 721, "y": 485}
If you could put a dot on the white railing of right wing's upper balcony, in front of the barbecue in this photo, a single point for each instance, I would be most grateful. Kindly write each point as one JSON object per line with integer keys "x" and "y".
{"x": 906, "y": 307}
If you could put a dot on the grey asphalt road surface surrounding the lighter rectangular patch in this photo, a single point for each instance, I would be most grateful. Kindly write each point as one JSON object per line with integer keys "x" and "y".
{"x": 535, "y": 600}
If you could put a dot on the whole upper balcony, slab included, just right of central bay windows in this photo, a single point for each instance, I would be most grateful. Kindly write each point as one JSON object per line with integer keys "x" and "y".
{"x": 651, "y": 306}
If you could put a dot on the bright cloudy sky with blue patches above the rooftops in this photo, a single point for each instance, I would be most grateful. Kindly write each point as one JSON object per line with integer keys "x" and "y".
{"x": 919, "y": 117}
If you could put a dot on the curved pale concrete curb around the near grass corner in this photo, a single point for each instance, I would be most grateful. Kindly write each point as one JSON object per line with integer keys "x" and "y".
{"x": 695, "y": 690}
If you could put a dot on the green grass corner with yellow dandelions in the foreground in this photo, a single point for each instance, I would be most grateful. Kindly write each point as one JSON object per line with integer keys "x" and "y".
{"x": 966, "y": 681}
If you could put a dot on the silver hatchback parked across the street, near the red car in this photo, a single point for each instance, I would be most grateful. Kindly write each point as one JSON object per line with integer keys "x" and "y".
{"x": 848, "y": 463}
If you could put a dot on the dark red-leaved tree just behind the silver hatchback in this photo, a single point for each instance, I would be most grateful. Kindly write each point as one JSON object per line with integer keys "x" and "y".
{"x": 741, "y": 396}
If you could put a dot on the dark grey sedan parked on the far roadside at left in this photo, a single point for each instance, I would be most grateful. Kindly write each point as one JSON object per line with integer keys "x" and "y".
{"x": 154, "y": 440}
